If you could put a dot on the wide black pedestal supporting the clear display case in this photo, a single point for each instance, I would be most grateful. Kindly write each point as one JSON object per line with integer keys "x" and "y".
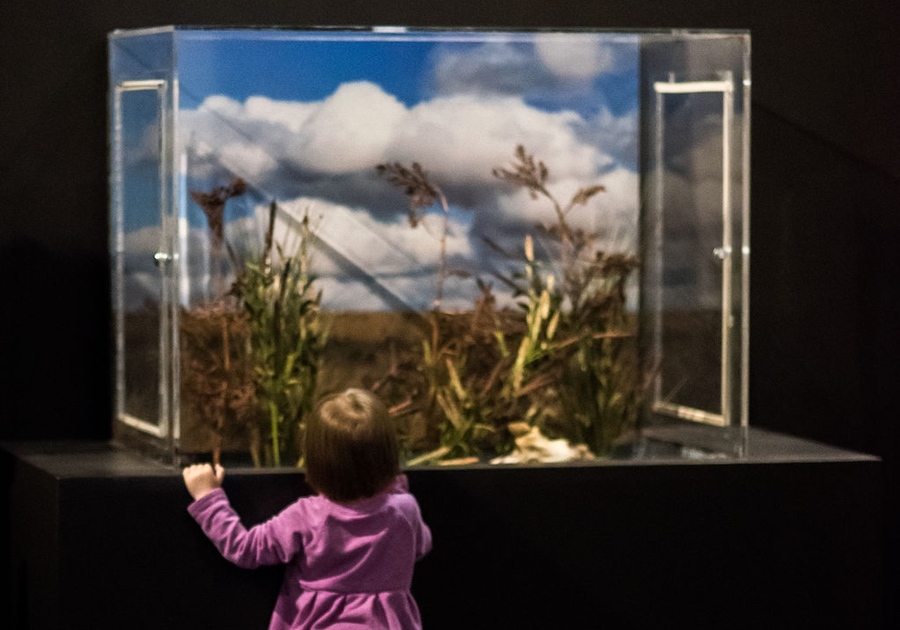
{"x": 787, "y": 536}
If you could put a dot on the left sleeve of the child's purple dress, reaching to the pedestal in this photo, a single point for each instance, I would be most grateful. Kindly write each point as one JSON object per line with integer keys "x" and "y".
{"x": 272, "y": 542}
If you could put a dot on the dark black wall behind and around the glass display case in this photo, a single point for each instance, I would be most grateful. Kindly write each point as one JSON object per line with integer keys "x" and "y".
{"x": 825, "y": 202}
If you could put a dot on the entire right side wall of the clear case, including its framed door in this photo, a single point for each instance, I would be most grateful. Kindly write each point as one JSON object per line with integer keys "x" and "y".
{"x": 695, "y": 232}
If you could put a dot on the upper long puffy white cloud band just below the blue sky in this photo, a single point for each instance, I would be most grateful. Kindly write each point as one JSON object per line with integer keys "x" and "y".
{"x": 460, "y": 138}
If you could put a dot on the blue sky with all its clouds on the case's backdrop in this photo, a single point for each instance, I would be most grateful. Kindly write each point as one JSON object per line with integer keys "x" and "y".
{"x": 304, "y": 119}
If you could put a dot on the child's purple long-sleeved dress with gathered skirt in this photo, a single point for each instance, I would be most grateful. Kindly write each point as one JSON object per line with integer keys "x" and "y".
{"x": 348, "y": 565}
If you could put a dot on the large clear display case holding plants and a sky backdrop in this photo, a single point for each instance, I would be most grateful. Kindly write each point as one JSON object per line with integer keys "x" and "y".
{"x": 533, "y": 245}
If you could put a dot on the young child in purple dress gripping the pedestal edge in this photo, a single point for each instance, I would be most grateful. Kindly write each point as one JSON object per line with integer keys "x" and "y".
{"x": 350, "y": 549}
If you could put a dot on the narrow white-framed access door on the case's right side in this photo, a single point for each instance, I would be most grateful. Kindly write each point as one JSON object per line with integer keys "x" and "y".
{"x": 694, "y": 203}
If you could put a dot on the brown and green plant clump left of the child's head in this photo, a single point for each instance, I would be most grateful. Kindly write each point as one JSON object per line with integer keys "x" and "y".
{"x": 250, "y": 366}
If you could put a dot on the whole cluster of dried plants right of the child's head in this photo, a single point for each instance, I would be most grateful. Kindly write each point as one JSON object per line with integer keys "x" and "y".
{"x": 565, "y": 362}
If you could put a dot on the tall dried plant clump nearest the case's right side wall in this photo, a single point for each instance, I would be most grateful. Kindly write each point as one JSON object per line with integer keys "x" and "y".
{"x": 587, "y": 342}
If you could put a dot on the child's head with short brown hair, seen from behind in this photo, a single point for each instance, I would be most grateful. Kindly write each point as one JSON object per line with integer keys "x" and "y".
{"x": 350, "y": 446}
